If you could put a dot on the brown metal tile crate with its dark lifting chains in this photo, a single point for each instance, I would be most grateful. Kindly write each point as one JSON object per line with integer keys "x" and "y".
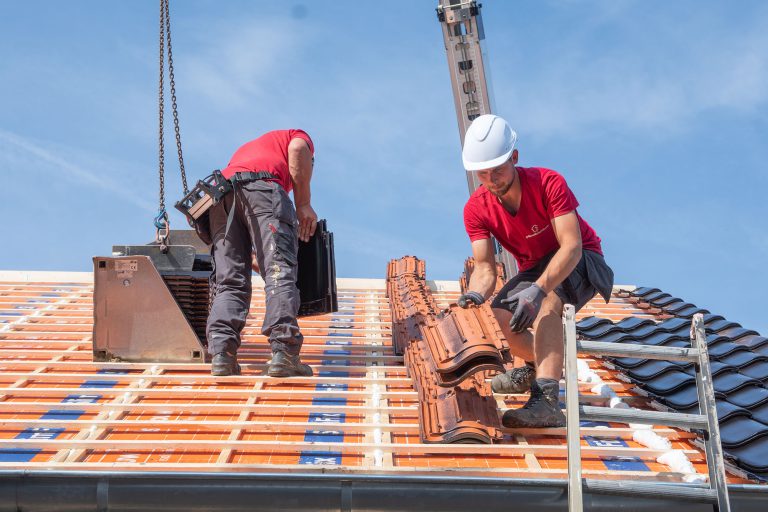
{"x": 151, "y": 301}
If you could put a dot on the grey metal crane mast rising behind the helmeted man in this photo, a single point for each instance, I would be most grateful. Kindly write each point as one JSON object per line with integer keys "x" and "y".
{"x": 463, "y": 36}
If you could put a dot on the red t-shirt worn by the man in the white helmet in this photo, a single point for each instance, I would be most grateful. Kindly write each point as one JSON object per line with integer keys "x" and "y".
{"x": 528, "y": 235}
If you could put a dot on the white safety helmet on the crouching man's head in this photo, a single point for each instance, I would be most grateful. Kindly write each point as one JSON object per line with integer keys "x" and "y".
{"x": 488, "y": 143}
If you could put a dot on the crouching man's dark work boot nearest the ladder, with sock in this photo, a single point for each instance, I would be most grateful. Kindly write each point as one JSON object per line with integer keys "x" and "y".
{"x": 542, "y": 409}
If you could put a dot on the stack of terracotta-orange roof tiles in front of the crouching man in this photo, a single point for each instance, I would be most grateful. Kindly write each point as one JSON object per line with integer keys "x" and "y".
{"x": 446, "y": 354}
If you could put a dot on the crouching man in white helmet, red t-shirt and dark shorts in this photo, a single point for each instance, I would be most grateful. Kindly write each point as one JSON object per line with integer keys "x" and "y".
{"x": 532, "y": 213}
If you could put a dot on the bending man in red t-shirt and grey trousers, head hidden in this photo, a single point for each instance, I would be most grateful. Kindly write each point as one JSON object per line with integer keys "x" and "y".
{"x": 258, "y": 220}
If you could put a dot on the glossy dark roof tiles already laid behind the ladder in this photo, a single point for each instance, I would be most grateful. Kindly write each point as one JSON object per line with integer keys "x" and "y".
{"x": 739, "y": 363}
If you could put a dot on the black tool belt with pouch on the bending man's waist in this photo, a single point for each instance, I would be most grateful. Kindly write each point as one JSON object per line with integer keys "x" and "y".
{"x": 210, "y": 191}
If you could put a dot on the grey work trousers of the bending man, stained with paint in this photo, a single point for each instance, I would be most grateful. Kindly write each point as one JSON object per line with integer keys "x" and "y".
{"x": 263, "y": 223}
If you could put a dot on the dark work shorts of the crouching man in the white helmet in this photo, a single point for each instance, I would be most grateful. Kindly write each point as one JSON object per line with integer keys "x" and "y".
{"x": 592, "y": 275}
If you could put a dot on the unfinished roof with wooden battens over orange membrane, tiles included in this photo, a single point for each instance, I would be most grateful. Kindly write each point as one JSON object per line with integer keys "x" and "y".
{"x": 372, "y": 430}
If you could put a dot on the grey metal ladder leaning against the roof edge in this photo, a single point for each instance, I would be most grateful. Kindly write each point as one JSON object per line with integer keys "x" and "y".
{"x": 716, "y": 492}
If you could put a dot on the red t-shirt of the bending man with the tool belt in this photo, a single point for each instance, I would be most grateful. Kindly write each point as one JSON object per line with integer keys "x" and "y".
{"x": 267, "y": 153}
